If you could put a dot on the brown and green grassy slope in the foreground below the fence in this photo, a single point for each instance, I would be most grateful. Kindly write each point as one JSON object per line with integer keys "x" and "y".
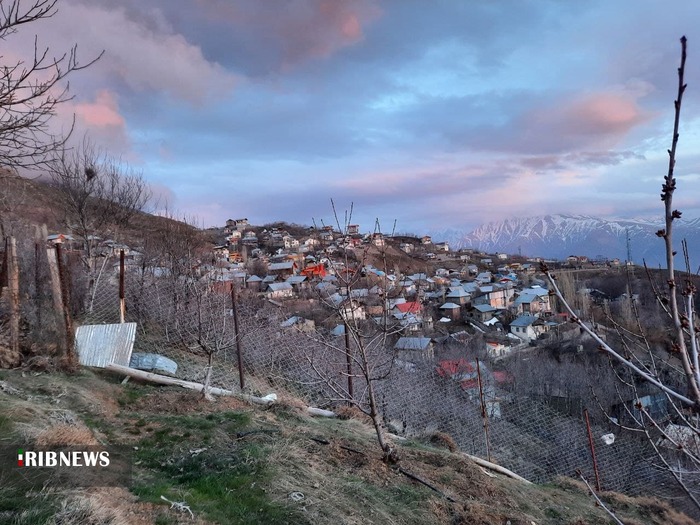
{"x": 233, "y": 463}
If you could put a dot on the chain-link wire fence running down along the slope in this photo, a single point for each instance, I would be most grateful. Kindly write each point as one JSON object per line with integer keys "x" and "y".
{"x": 421, "y": 397}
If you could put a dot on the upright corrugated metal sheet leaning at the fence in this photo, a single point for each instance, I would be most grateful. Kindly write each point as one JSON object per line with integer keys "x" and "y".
{"x": 99, "y": 345}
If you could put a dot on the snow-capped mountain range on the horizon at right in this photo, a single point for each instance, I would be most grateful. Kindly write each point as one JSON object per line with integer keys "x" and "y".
{"x": 558, "y": 236}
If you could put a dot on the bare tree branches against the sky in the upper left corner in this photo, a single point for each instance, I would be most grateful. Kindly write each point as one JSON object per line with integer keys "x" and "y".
{"x": 32, "y": 90}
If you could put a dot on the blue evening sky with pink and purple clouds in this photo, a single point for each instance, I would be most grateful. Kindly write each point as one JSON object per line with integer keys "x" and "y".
{"x": 421, "y": 115}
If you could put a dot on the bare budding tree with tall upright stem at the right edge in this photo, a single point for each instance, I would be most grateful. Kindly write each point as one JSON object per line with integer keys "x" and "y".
{"x": 674, "y": 371}
